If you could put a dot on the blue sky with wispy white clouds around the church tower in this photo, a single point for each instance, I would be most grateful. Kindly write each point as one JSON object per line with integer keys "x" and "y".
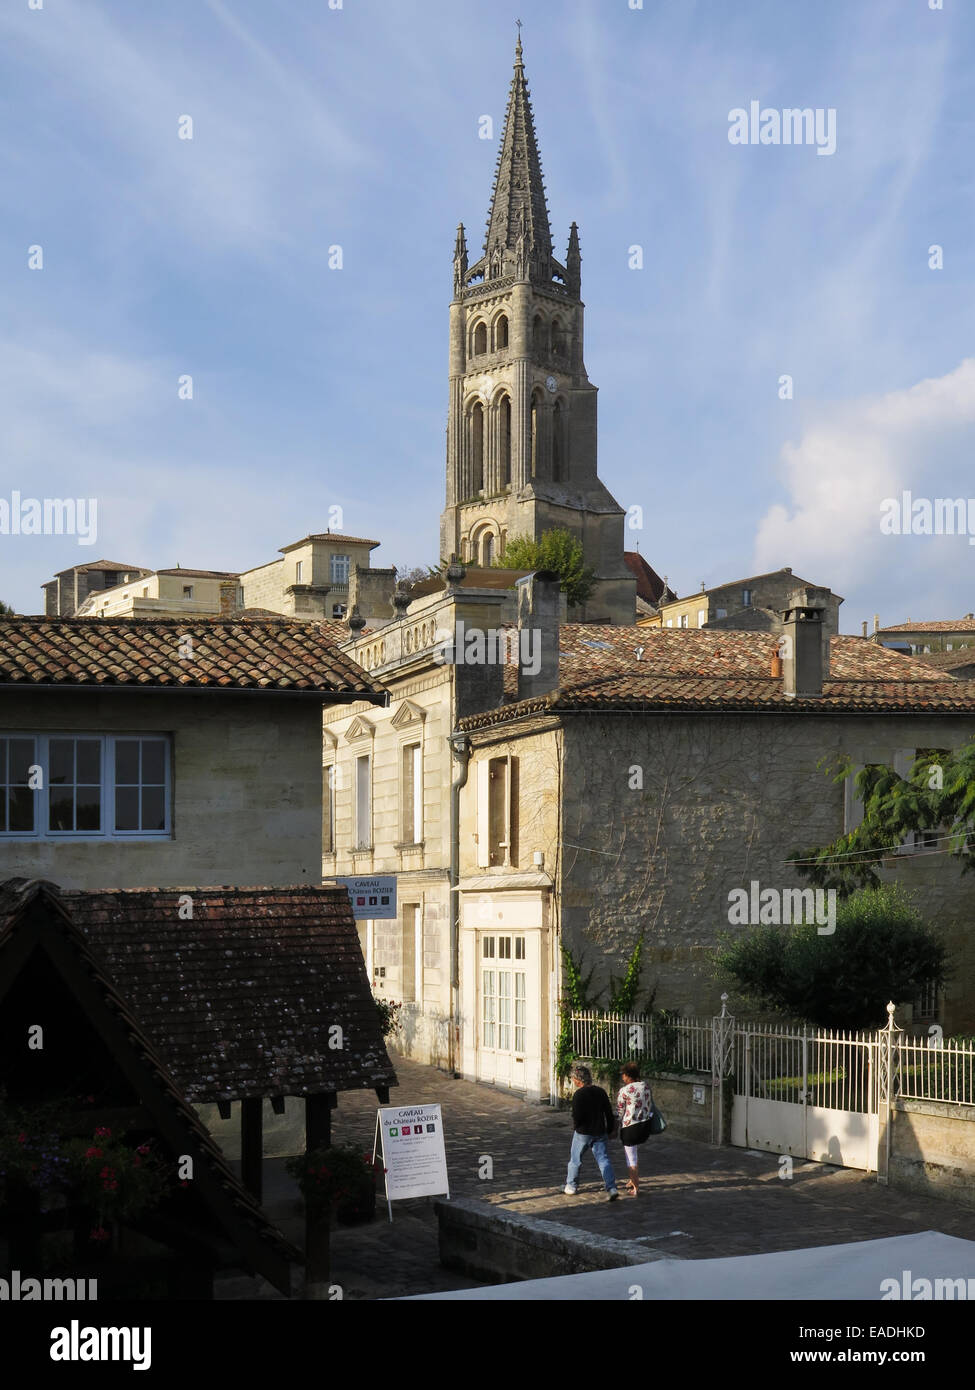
{"x": 360, "y": 127}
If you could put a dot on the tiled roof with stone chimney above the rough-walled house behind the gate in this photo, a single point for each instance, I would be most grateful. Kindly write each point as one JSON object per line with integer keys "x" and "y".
{"x": 702, "y": 669}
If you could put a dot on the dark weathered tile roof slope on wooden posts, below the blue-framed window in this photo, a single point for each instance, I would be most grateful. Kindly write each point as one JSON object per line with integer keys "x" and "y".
{"x": 240, "y": 1000}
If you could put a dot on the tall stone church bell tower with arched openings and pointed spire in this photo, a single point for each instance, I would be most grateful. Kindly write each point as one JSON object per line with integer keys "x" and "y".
{"x": 522, "y": 422}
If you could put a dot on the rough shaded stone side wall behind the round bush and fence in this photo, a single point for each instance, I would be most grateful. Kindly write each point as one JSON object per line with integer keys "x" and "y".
{"x": 666, "y": 814}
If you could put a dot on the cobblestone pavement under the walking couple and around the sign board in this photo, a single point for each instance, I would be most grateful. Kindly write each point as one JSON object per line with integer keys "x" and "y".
{"x": 696, "y": 1202}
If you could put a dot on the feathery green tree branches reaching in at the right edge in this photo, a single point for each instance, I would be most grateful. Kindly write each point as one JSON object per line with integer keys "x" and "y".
{"x": 938, "y": 796}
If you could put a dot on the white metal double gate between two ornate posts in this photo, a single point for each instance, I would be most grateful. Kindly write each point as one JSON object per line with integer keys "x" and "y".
{"x": 812, "y": 1095}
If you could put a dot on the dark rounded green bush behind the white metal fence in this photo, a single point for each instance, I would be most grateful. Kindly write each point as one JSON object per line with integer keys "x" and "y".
{"x": 881, "y": 951}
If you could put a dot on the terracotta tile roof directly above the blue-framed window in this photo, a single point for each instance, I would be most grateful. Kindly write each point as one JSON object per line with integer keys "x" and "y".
{"x": 273, "y": 657}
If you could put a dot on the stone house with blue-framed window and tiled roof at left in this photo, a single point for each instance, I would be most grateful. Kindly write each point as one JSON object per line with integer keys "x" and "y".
{"x": 166, "y": 753}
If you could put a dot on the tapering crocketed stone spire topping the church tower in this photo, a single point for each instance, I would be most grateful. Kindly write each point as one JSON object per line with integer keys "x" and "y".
{"x": 519, "y": 215}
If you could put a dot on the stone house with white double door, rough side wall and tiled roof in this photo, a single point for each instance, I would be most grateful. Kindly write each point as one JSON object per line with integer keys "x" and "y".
{"x": 664, "y": 771}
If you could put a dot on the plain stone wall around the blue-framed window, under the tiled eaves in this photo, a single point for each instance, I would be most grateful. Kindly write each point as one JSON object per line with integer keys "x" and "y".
{"x": 247, "y": 792}
